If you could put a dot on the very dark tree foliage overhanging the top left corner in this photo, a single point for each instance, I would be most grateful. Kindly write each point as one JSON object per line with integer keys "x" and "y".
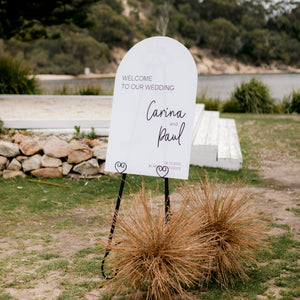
{"x": 18, "y": 17}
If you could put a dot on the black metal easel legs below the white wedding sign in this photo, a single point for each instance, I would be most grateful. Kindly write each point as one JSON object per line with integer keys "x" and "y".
{"x": 114, "y": 221}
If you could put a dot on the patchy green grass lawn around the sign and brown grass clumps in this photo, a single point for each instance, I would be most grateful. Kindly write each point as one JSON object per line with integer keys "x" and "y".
{"x": 36, "y": 217}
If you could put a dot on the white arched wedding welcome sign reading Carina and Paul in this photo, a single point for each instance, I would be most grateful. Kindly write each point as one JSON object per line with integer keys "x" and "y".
{"x": 153, "y": 110}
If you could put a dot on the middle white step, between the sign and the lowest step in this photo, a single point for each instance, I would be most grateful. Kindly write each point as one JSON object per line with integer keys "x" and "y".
{"x": 204, "y": 150}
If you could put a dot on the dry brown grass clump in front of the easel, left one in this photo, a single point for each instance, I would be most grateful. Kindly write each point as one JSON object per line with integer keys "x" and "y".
{"x": 163, "y": 256}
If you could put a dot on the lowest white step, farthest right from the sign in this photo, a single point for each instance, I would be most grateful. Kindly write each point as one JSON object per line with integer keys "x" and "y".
{"x": 229, "y": 151}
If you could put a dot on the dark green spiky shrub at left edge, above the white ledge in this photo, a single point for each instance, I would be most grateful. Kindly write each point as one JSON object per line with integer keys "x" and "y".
{"x": 15, "y": 77}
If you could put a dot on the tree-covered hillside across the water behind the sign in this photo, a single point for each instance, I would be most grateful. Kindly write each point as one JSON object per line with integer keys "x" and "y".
{"x": 65, "y": 36}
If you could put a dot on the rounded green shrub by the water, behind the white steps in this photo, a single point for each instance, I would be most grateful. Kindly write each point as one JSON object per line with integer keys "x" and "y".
{"x": 251, "y": 97}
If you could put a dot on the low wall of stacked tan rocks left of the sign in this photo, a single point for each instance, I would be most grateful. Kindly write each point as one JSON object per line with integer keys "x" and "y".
{"x": 51, "y": 157}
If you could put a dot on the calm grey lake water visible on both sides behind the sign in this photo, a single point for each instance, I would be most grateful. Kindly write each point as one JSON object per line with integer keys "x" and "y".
{"x": 211, "y": 85}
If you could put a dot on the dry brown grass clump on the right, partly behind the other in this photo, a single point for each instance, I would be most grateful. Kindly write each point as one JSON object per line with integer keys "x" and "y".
{"x": 226, "y": 212}
